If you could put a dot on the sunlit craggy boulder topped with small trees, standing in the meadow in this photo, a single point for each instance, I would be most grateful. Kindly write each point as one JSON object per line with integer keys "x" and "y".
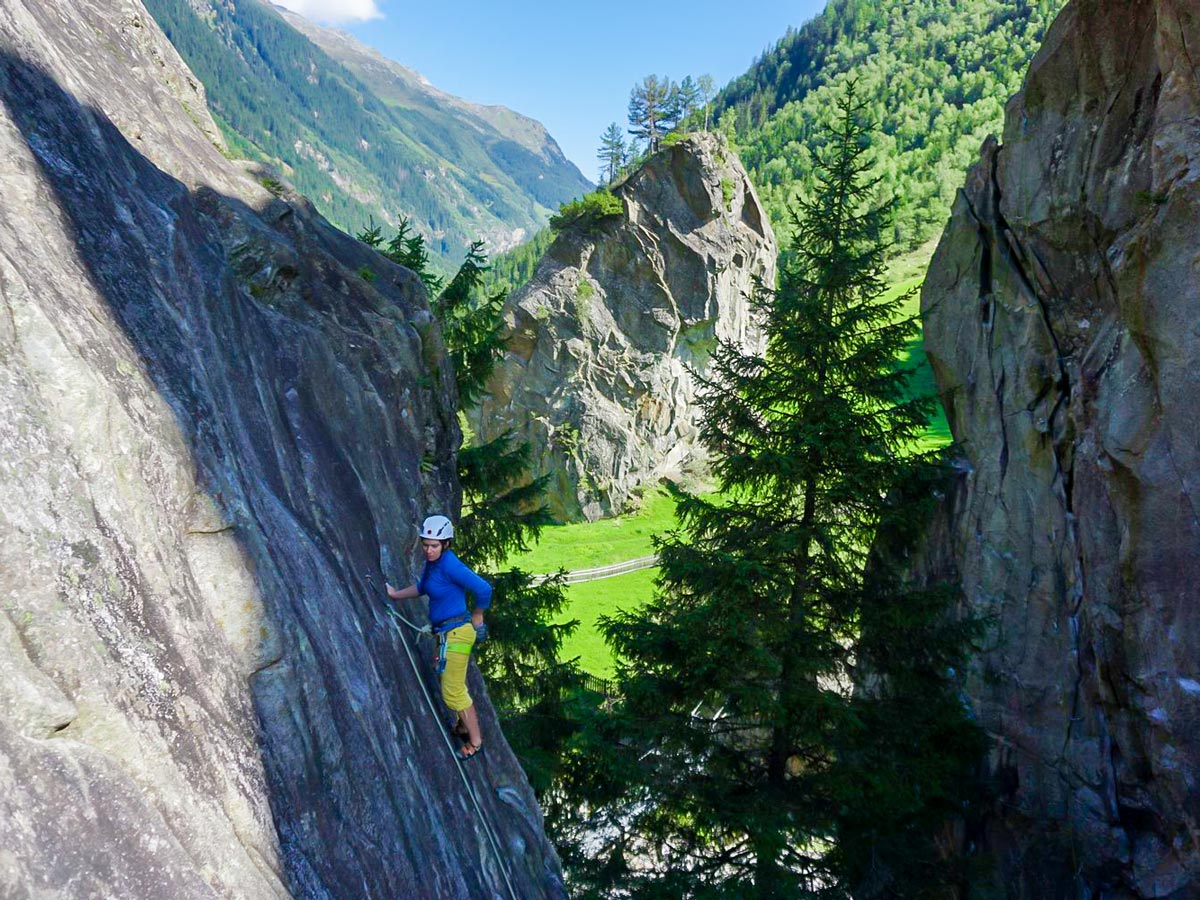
{"x": 621, "y": 313}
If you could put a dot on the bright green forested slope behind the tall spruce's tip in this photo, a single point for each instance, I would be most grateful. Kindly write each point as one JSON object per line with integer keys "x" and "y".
{"x": 937, "y": 75}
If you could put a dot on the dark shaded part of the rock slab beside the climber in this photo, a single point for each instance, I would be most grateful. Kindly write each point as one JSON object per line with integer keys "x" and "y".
{"x": 320, "y": 419}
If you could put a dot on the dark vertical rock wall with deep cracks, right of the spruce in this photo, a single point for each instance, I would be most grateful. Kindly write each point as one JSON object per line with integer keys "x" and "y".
{"x": 1060, "y": 320}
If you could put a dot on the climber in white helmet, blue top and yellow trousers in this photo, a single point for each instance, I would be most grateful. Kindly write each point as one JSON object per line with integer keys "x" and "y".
{"x": 447, "y": 580}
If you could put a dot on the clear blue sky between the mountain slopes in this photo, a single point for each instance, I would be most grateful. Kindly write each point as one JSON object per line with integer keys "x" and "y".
{"x": 571, "y": 65}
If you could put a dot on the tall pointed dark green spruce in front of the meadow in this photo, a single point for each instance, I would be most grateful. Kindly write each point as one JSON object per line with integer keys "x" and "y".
{"x": 782, "y": 697}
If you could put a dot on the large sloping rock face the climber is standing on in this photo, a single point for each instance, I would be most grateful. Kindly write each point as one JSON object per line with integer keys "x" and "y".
{"x": 215, "y": 440}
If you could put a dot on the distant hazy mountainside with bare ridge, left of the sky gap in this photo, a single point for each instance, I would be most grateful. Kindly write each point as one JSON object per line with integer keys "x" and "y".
{"x": 281, "y": 99}
